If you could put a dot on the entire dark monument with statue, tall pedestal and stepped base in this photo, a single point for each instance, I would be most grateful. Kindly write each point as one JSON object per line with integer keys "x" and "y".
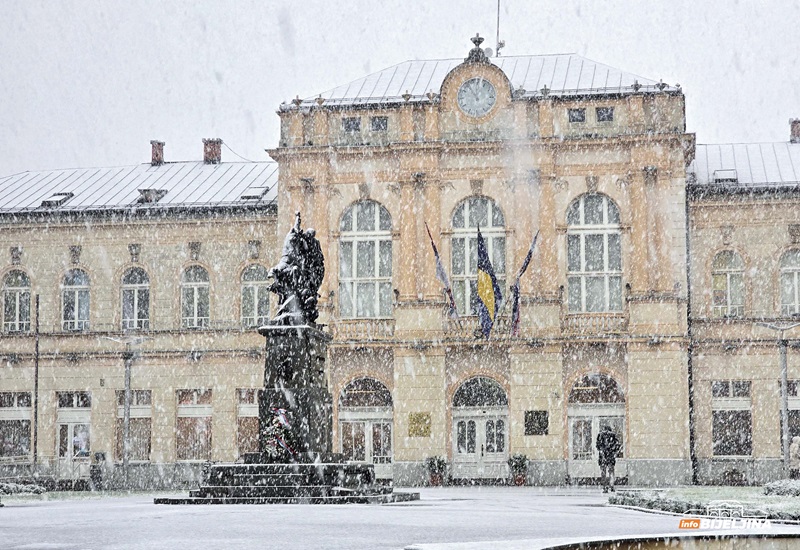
{"x": 295, "y": 462}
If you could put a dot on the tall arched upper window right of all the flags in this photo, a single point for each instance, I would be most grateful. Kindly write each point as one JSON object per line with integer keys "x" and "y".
{"x": 594, "y": 255}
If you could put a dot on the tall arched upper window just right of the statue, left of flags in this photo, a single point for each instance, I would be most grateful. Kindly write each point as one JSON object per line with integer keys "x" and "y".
{"x": 365, "y": 261}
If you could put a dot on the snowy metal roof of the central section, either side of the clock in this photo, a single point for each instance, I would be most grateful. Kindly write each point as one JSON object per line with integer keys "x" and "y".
{"x": 562, "y": 74}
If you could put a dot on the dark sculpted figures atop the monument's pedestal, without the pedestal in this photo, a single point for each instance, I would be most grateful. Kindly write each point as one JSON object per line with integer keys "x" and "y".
{"x": 297, "y": 277}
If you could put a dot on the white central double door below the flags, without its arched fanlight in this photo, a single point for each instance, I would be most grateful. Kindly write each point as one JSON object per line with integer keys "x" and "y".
{"x": 480, "y": 443}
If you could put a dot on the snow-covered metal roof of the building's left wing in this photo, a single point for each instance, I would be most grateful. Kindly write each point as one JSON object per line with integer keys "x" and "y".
{"x": 144, "y": 186}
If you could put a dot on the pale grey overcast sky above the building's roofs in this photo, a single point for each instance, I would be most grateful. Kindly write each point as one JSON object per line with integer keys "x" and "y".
{"x": 91, "y": 83}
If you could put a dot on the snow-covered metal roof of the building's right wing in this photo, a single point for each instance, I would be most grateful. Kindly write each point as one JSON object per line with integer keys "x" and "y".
{"x": 743, "y": 166}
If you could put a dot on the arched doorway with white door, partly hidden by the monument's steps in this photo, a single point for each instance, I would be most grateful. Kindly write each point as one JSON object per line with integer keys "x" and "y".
{"x": 365, "y": 423}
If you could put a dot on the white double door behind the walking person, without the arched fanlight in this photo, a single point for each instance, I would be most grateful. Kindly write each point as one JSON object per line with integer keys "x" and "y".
{"x": 584, "y": 426}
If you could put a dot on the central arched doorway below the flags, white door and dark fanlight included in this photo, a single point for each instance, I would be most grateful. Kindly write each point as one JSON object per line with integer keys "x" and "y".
{"x": 480, "y": 429}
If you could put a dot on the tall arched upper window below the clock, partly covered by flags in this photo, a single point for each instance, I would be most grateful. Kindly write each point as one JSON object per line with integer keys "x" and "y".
{"x": 469, "y": 215}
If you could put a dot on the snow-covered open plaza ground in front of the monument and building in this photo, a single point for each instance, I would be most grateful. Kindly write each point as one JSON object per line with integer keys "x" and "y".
{"x": 474, "y": 517}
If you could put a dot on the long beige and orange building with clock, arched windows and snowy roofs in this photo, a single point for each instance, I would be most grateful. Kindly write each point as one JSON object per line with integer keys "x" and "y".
{"x": 639, "y": 312}
